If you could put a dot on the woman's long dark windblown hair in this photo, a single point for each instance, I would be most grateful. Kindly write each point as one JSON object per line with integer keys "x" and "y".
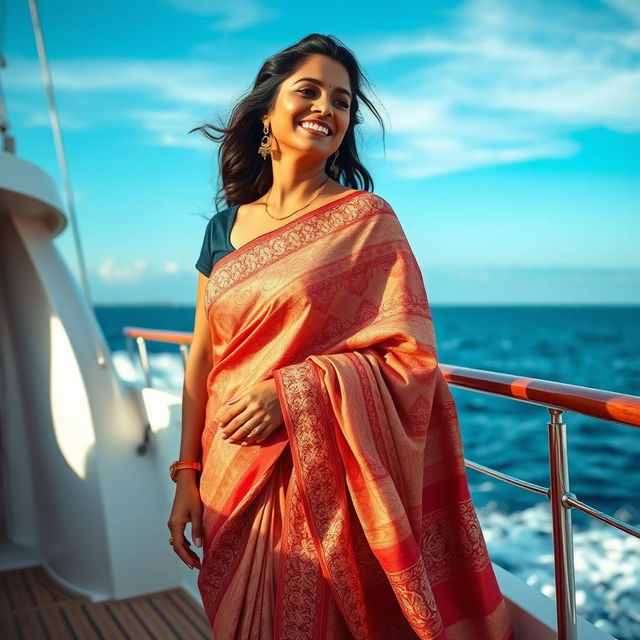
{"x": 245, "y": 175}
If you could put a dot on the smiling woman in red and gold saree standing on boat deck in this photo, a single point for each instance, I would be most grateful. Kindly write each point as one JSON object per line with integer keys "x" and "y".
{"x": 333, "y": 501}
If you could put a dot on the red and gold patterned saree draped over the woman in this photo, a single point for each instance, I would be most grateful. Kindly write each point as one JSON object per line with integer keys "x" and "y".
{"x": 353, "y": 519}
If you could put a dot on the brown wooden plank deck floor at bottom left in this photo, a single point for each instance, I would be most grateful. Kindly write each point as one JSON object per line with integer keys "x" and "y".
{"x": 33, "y": 606}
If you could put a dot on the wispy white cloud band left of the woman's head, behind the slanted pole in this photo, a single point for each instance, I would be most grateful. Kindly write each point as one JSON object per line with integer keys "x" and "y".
{"x": 192, "y": 89}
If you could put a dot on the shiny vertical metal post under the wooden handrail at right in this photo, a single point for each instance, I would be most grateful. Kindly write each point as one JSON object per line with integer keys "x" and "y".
{"x": 562, "y": 533}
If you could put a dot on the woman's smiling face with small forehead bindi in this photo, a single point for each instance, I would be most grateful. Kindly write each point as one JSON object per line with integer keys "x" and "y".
{"x": 319, "y": 90}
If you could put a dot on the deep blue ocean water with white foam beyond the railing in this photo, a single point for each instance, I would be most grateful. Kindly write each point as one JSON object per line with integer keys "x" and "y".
{"x": 595, "y": 347}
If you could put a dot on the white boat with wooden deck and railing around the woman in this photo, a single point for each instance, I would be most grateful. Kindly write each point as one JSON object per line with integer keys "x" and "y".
{"x": 84, "y": 455}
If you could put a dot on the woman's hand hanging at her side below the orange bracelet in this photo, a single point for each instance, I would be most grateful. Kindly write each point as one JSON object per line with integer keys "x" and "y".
{"x": 187, "y": 507}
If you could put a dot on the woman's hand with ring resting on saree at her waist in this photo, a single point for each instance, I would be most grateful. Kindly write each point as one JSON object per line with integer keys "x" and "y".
{"x": 251, "y": 416}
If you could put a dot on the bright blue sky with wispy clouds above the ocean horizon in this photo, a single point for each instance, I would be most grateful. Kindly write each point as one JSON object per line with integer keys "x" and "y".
{"x": 512, "y": 152}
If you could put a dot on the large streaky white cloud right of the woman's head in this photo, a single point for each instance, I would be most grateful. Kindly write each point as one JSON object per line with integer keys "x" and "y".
{"x": 504, "y": 83}
